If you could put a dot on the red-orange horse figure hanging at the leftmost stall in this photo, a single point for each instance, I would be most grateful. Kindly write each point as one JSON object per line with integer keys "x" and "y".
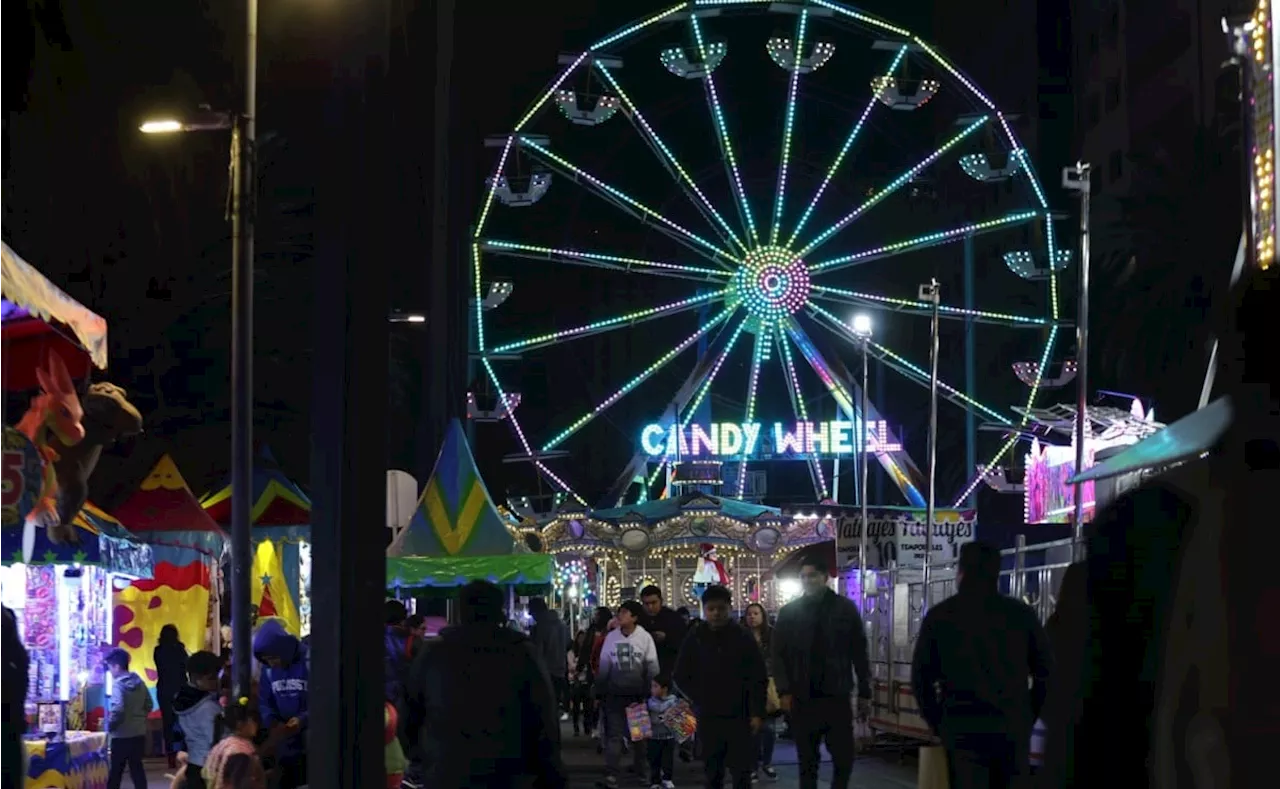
{"x": 54, "y": 417}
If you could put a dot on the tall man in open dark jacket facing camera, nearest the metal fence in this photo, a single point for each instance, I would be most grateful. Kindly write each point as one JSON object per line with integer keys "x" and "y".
{"x": 819, "y": 645}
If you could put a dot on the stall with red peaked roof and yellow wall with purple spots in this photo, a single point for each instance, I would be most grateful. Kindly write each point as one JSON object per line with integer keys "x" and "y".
{"x": 188, "y": 546}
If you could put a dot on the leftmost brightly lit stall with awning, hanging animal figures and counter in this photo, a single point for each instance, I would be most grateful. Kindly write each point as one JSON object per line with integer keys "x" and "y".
{"x": 61, "y": 555}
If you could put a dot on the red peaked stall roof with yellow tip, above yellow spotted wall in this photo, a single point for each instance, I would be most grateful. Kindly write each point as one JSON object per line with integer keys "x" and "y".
{"x": 166, "y": 512}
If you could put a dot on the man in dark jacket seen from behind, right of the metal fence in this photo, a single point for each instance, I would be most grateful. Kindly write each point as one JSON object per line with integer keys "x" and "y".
{"x": 973, "y": 659}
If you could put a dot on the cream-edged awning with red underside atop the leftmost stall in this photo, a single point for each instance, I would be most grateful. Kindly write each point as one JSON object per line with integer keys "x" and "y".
{"x": 33, "y": 309}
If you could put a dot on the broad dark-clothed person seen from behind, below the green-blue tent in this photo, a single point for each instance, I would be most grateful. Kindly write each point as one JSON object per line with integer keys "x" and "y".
{"x": 479, "y": 709}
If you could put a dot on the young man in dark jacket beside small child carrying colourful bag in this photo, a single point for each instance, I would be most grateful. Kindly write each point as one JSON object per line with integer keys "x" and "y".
{"x": 723, "y": 672}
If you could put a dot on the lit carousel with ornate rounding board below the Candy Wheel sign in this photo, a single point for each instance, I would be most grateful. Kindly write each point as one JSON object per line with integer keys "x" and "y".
{"x": 679, "y": 545}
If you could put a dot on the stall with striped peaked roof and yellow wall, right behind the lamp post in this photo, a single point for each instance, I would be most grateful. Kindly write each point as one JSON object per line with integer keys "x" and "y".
{"x": 281, "y": 518}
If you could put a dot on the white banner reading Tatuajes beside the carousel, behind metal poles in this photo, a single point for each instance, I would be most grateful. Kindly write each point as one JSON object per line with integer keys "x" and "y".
{"x": 898, "y": 535}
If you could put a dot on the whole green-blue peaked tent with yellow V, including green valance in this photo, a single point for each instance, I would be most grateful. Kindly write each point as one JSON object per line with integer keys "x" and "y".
{"x": 458, "y": 536}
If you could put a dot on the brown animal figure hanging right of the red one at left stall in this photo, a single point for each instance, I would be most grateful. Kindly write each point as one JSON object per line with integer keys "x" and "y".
{"x": 109, "y": 417}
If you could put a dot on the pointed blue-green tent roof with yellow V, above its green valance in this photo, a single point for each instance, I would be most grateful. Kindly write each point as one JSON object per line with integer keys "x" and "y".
{"x": 456, "y": 516}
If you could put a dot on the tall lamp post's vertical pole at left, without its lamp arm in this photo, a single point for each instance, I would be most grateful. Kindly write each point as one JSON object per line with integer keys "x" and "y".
{"x": 243, "y": 361}
